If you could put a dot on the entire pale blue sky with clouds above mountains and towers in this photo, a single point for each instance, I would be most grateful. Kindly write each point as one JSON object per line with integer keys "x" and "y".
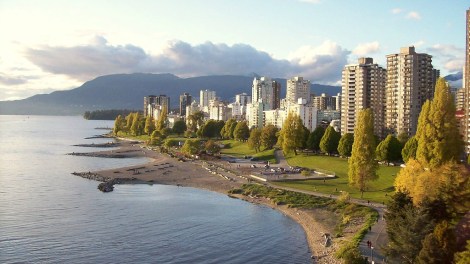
{"x": 52, "y": 45}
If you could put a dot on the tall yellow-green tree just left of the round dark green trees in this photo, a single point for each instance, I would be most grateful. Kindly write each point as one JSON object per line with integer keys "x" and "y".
{"x": 291, "y": 136}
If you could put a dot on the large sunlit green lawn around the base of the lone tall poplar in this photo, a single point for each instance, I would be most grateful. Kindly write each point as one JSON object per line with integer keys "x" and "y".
{"x": 379, "y": 190}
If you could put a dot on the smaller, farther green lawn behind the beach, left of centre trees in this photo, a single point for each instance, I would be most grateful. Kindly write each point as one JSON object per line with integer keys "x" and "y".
{"x": 240, "y": 149}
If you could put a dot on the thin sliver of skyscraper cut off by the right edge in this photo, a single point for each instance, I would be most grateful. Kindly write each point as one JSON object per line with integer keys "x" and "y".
{"x": 466, "y": 82}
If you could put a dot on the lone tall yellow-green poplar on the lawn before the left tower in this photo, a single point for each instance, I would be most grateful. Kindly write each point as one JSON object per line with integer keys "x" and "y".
{"x": 362, "y": 165}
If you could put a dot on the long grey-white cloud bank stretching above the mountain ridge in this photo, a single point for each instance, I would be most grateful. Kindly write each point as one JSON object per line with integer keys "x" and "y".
{"x": 321, "y": 64}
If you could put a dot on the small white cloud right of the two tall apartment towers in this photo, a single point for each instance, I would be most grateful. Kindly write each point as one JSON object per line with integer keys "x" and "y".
{"x": 451, "y": 57}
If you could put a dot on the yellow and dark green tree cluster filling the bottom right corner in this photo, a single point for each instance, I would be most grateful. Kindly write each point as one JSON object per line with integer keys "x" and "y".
{"x": 426, "y": 217}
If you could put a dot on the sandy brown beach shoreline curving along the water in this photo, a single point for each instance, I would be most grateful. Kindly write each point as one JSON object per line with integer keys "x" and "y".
{"x": 165, "y": 170}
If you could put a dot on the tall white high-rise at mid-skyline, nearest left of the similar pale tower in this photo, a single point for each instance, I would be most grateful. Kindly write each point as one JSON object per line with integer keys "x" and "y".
{"x": 266, "y": 91}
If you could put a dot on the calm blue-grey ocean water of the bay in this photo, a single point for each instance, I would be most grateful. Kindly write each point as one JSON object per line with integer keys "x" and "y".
{"x": 48, "y": 215}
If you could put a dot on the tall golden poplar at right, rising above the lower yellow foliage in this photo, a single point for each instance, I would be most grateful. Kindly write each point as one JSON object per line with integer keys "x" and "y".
{"x": 437, "y": 134}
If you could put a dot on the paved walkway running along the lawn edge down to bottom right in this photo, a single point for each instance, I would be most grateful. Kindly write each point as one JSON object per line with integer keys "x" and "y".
{"x": 378, "y": 233}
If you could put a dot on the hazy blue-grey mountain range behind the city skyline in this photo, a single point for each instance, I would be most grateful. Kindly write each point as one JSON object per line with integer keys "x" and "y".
{"x": 126, "y": 91}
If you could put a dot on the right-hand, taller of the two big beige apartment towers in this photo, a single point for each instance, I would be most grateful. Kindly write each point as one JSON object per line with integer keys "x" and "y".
{"x": 410, "y": 82}
